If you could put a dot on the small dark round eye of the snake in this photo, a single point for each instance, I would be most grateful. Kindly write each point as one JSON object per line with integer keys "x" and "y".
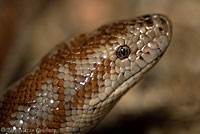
{"x": 123, "y": 52}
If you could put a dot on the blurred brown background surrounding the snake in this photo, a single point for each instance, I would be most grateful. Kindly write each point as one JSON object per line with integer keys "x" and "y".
{"x": 166, "y": 101}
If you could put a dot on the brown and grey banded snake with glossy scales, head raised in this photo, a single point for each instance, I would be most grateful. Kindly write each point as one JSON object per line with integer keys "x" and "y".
{"x": 76, "y": 84}
